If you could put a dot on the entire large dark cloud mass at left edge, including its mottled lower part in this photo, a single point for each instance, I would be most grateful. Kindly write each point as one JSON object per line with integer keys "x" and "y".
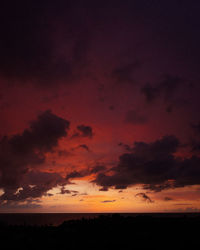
{"x": 20, "y": 155}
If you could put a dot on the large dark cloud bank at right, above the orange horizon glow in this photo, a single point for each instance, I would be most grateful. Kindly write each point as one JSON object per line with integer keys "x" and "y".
{"x": 153, "y": 165}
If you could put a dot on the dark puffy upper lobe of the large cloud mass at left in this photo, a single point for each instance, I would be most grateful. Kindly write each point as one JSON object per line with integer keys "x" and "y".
{"x": 43, "y": 134}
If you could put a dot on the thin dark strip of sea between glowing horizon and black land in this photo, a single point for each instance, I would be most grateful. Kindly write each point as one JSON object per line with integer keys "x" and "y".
{"x": 56, "y": 219}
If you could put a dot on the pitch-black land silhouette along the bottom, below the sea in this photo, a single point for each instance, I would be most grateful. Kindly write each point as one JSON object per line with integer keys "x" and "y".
{"x": 106, "y": 232}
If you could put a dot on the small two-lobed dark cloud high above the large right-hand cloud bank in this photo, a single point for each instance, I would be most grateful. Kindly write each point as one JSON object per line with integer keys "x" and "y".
{"x": 164, "y": 89}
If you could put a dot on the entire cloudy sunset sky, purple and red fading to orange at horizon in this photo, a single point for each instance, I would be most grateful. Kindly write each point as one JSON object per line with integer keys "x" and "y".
{"x": 99, "y": 106}
